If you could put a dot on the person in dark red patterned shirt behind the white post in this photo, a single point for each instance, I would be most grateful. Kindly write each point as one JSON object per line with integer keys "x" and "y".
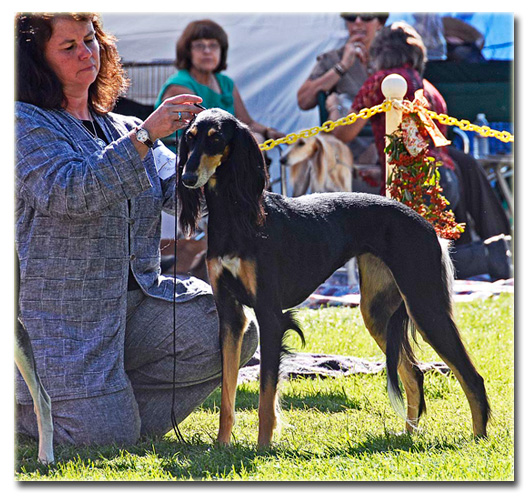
{"x": 396, "y": 49}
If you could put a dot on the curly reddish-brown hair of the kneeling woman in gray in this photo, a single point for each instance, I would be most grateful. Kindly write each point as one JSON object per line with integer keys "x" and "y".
{"x": 36, "y": 83}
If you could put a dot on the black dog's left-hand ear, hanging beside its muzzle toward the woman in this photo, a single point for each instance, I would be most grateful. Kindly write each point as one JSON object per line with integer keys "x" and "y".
{"x": 190, "y": 200}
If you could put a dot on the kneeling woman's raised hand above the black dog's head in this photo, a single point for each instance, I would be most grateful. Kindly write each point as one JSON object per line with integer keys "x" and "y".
{"x": 173, "y": 114}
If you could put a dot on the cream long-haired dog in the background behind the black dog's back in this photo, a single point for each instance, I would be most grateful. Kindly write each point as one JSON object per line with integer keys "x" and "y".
{"x": 323, "y": 163}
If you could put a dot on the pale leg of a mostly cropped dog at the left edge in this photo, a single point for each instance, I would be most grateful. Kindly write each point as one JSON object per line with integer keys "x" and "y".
{"x": 25, "y": 361}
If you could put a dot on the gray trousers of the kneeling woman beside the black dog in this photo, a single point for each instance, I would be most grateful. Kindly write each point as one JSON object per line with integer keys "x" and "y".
{"x": 144, "y": 407}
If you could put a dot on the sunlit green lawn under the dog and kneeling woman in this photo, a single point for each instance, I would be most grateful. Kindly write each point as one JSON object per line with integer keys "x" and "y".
{"x": 333, "y": 429}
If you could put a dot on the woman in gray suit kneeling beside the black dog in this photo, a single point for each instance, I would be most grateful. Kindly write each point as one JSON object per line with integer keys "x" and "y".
{"x": 88, "y": 210}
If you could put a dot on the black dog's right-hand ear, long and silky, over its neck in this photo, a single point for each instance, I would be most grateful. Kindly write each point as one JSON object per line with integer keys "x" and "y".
{"x": 246, "y": 175}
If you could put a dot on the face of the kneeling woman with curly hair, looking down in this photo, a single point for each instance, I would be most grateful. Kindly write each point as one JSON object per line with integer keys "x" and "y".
{"x": 73, "y": 53}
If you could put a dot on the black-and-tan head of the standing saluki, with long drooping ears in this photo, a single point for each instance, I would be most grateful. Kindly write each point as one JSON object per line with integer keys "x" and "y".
{"x": 220, "y": 153}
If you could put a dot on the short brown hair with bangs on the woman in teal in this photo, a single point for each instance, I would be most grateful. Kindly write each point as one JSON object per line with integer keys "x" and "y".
{"x": 196, "y": 30}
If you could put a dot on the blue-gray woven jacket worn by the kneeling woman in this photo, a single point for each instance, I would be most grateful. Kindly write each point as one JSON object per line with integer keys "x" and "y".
{"x": 85, "y": 215}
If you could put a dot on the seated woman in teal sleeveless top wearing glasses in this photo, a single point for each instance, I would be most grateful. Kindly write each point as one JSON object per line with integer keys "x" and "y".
{"x": 201, "y": 55}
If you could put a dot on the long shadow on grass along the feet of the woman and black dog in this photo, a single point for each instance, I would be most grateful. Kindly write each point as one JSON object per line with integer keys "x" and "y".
{"x": 202, "y": 460}
